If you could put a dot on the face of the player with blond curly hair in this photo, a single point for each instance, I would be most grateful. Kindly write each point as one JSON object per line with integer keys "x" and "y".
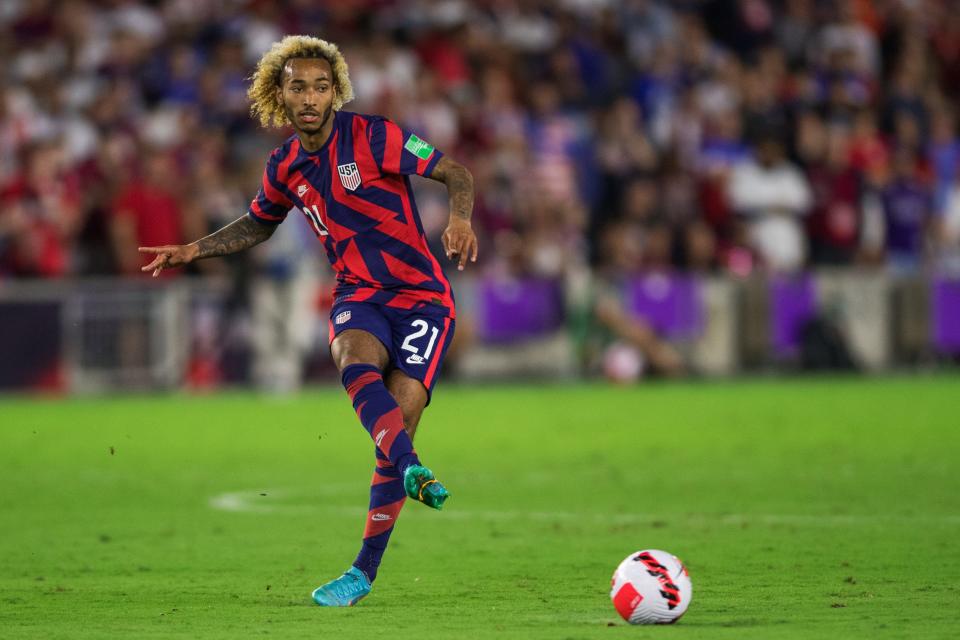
{"x": 307, "y": 92}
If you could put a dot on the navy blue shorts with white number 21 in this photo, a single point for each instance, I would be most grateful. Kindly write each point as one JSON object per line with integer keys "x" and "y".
{"x": 416, "y": 339}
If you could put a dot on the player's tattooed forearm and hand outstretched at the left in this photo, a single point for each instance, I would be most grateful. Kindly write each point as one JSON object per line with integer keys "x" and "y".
{"x": 242, "y": 233}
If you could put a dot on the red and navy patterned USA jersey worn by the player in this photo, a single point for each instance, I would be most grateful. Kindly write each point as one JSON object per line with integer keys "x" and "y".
{"x": 355, "y": 193}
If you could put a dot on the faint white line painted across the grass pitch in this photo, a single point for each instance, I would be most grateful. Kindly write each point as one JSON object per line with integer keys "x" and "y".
{"x": 264, "y": 501}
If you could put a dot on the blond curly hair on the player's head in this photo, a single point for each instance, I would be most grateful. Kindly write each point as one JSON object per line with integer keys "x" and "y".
{"x": 267, "y": 77}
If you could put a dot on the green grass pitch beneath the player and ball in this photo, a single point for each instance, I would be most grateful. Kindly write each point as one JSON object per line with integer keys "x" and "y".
{"x": 803, "y": 509}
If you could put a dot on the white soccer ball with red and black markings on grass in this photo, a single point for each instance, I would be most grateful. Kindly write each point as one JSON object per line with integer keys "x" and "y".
{"x": 651, "y": 587}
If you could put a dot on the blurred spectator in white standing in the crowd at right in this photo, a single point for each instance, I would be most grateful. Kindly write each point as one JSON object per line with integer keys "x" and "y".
{"x": 770, "y": 193}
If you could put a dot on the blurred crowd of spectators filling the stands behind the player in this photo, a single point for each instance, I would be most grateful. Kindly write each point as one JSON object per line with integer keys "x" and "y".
{"x": 711, "y": 135}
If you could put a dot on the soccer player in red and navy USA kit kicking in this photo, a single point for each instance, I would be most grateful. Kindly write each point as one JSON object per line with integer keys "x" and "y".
{"x": 393, "y": 313}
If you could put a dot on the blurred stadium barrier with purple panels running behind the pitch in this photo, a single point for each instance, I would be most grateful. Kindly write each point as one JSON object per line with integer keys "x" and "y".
{"x": 99, "y": 335}
